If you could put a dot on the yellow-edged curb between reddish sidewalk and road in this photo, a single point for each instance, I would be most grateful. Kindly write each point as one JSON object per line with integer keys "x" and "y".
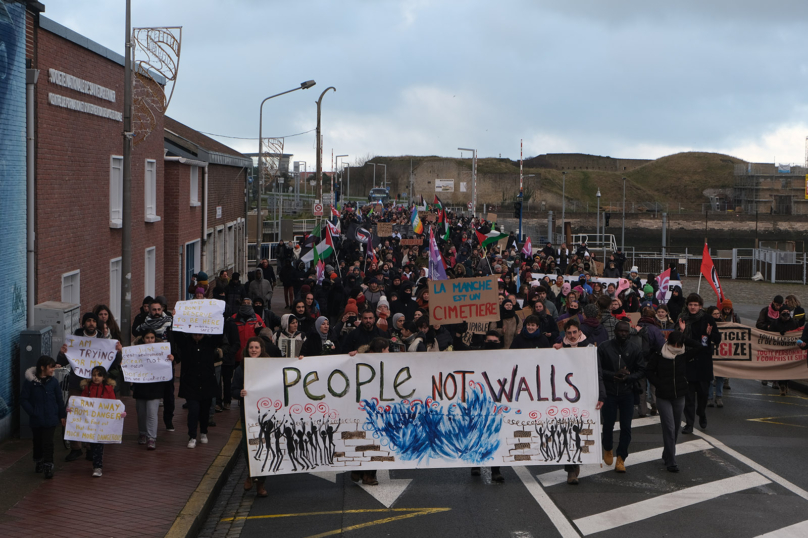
{"x": 192, "y": 515}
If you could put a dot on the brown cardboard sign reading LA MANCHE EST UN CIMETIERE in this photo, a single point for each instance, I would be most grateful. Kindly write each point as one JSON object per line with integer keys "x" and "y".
{"x": 463, "y": 299}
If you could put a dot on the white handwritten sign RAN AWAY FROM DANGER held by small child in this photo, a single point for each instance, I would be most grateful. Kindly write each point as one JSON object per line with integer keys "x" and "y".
{"x": 94, "y": 420}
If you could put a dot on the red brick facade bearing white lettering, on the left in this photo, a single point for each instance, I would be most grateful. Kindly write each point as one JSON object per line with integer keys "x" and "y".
{"x": 73, "y": 177}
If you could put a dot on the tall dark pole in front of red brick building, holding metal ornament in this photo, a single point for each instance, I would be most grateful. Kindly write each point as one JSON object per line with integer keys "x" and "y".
{"x": 126, "y": 221}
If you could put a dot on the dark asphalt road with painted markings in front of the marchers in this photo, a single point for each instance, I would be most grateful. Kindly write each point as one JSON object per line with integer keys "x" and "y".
{"x": 746, "y": 475}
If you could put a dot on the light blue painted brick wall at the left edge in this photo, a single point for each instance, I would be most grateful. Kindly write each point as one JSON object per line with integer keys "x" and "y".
{"x": 12, "y": 201}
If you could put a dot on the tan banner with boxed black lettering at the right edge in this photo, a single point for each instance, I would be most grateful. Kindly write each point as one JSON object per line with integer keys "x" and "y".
{"x": 748, "y": 353}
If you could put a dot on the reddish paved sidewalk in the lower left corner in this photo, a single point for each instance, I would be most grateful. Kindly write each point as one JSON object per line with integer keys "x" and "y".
{"x": 142, "y": 493}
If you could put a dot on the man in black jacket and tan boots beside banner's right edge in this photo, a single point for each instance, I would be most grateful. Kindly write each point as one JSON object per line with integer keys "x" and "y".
{"x": 622, "y": 363}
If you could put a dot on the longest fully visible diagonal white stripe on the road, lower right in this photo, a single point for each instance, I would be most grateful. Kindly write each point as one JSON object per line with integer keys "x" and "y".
{"x": 668, "y": 503}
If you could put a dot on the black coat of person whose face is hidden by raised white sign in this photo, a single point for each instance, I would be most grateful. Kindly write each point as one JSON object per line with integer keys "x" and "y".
{"x": 197, "y": 359}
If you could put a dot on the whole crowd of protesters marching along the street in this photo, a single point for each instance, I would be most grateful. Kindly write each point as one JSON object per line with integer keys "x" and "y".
{"x": 371, "y": 295}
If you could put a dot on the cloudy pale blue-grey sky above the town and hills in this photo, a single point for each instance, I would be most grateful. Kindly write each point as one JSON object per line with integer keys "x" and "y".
{"x": 618, "y": 77}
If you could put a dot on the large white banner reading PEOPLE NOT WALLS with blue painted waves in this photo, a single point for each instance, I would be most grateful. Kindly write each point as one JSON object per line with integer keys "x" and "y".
{"x": 422, "y": 410}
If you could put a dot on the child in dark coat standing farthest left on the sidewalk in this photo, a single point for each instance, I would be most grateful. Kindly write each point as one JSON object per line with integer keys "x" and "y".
{"x": 41, "y": 398}
